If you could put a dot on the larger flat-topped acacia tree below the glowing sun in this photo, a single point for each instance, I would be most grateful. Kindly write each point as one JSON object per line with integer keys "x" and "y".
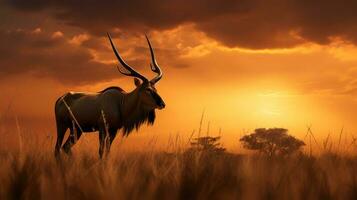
{"x": 272, "y": 141}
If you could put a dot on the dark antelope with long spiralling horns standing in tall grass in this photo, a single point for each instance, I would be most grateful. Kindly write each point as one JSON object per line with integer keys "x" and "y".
{"x": 109, "y": 110}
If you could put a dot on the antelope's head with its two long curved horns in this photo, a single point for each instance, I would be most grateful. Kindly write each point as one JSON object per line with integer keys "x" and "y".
{"x": 146, "y": 90}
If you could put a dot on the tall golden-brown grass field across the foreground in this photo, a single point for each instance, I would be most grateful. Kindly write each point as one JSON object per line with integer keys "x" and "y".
{"x": 30, "y": 171}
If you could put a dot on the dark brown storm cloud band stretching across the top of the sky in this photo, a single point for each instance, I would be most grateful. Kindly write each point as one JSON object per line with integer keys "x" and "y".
{"x": 246, "y": 23}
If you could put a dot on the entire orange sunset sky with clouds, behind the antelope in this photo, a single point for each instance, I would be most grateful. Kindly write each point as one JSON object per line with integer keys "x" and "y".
{"x": 246, "y": 63}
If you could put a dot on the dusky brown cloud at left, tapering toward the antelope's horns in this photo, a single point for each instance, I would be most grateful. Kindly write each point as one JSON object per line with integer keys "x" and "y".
{"x": 50, "y": 55}
